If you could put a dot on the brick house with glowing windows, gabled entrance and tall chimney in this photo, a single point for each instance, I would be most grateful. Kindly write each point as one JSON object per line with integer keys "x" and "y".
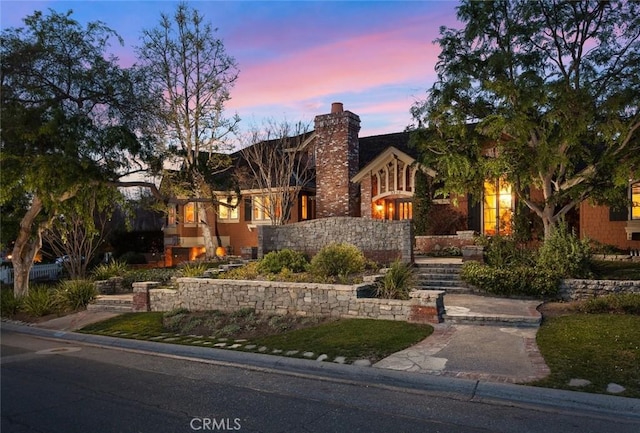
{"x": 367, "y": 177}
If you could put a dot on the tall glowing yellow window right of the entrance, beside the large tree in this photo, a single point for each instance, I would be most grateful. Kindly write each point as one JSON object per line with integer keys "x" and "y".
{"x": 497, "y": 209}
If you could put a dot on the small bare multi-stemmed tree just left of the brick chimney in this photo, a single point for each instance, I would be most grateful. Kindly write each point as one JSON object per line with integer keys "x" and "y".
{"x": 279, "y": 162}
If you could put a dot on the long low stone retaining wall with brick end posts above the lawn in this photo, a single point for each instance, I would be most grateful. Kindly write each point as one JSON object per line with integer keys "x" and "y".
{"x": 303, "y": 299}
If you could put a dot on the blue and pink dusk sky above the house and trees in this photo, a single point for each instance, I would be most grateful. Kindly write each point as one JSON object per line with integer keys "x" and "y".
{"x": 297, "y": 57}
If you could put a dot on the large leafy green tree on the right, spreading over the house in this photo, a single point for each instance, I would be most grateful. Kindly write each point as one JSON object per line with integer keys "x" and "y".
{"x": 543, "y": 94}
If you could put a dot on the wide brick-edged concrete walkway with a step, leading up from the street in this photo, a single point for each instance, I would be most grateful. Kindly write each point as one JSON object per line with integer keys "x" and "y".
{"x": 483, "y": 338}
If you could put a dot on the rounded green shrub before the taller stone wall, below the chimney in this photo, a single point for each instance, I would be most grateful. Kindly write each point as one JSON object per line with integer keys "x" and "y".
{"x": 338, "y": 260}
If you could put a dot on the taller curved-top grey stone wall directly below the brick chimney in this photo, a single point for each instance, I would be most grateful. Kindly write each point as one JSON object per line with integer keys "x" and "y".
{"x": 379, "y": 240}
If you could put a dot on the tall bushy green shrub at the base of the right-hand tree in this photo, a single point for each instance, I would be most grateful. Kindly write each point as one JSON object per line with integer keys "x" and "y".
{"x": 565, "y": 254}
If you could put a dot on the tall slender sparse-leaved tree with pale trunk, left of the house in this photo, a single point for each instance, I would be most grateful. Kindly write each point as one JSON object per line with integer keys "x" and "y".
{"x": 192, "y": 75}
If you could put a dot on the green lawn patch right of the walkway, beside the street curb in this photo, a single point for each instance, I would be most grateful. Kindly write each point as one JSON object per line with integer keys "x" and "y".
{"x": 601, "y": 348}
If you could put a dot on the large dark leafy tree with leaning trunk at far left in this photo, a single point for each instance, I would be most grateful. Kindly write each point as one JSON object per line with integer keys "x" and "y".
{"x": 71, "y": 117}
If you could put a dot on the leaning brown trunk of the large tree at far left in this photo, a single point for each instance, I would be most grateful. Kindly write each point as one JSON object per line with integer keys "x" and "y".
{"x": 26, "y": 247}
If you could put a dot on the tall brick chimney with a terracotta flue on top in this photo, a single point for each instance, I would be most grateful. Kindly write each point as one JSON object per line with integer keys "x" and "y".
{"x": 337, "y": 158}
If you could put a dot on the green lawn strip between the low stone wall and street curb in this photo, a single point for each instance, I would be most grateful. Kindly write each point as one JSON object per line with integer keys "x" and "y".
{"x": 351, "y": 338}
